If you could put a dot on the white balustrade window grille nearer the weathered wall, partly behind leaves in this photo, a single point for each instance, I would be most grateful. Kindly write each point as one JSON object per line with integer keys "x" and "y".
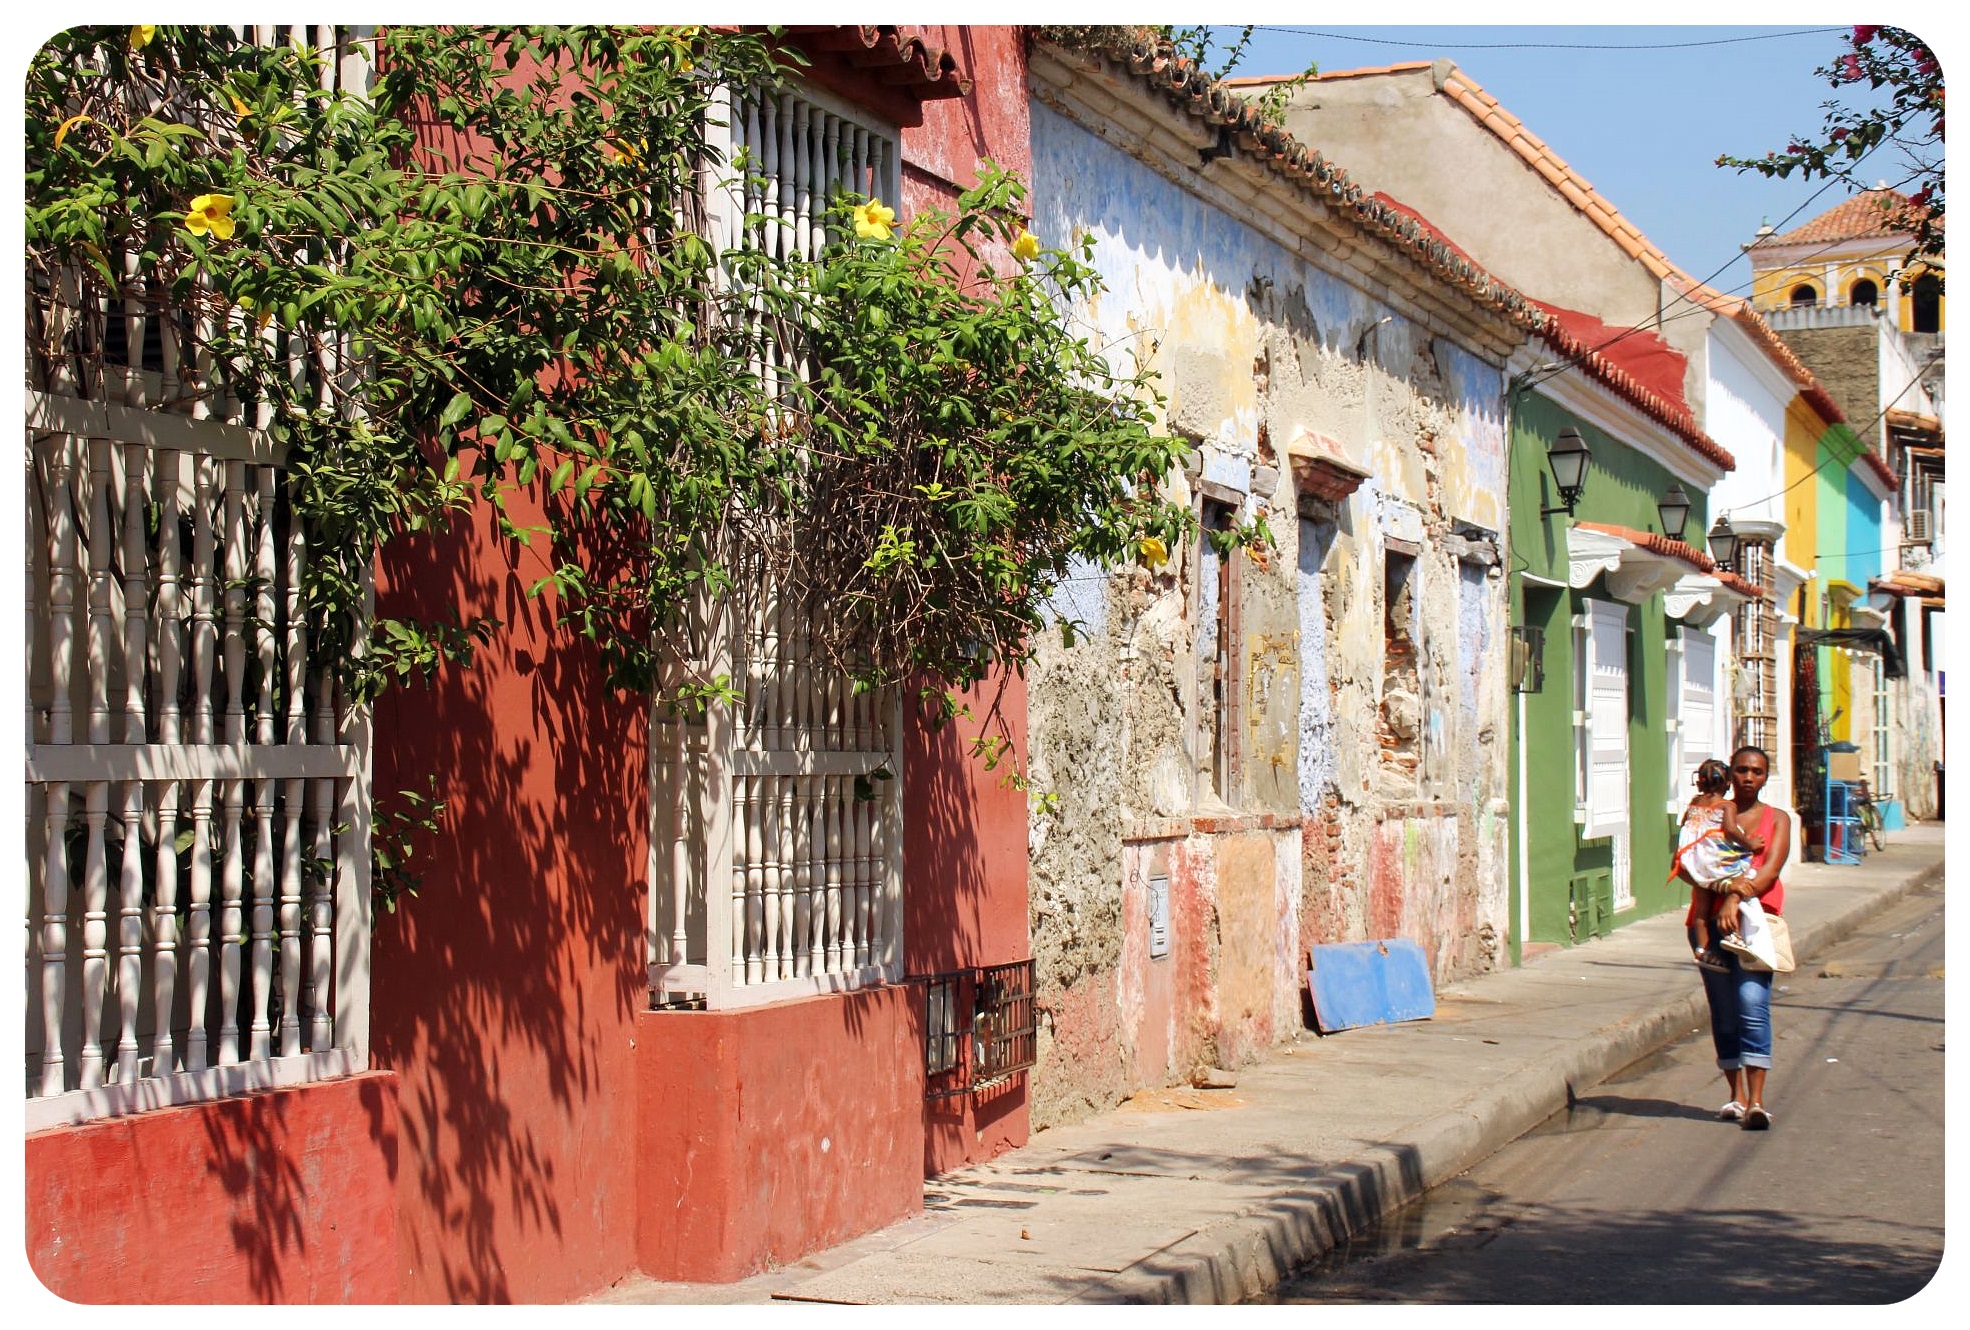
{"x": 777, "y": 823}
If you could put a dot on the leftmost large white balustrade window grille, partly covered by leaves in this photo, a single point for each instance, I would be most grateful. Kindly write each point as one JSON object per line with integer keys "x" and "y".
{"x": 198, "y": 789}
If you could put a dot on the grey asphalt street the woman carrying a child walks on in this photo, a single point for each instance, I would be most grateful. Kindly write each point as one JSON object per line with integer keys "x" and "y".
{"x": 1640, "y": 1195}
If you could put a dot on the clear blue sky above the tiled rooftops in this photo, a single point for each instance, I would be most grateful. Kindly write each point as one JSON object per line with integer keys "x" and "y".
{"x": 1644, "y": 123}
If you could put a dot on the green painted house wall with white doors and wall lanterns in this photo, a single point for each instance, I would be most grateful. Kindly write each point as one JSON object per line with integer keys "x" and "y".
{"x": 1571, "y": 878}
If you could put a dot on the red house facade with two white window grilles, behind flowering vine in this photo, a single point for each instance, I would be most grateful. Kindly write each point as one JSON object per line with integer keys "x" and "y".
{"x": 549, "y": 1069}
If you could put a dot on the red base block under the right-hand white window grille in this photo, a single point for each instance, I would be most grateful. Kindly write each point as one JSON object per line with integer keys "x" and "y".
{"x": 777, "y": 1132}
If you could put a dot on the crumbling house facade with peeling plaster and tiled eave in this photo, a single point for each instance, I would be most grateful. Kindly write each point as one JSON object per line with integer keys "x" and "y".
{"x": 1246, "y": 752}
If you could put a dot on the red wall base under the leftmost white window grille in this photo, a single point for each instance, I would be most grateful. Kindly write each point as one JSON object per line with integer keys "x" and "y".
{"x": 281, "y": 1197}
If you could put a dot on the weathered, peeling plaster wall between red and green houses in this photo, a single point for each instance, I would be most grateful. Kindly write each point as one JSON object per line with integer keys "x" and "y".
{"x": 1260, "y": 356}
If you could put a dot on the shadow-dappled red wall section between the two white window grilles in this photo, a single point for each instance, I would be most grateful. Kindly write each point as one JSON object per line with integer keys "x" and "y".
{"x": 507, "y": 992}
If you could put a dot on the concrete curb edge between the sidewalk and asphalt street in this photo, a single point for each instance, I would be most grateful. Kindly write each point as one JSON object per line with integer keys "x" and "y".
{"x": 1258, "y": 1252}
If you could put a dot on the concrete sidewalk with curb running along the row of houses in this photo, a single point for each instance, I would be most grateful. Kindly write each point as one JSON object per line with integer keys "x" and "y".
{"x": 1222, "y": 1193}
